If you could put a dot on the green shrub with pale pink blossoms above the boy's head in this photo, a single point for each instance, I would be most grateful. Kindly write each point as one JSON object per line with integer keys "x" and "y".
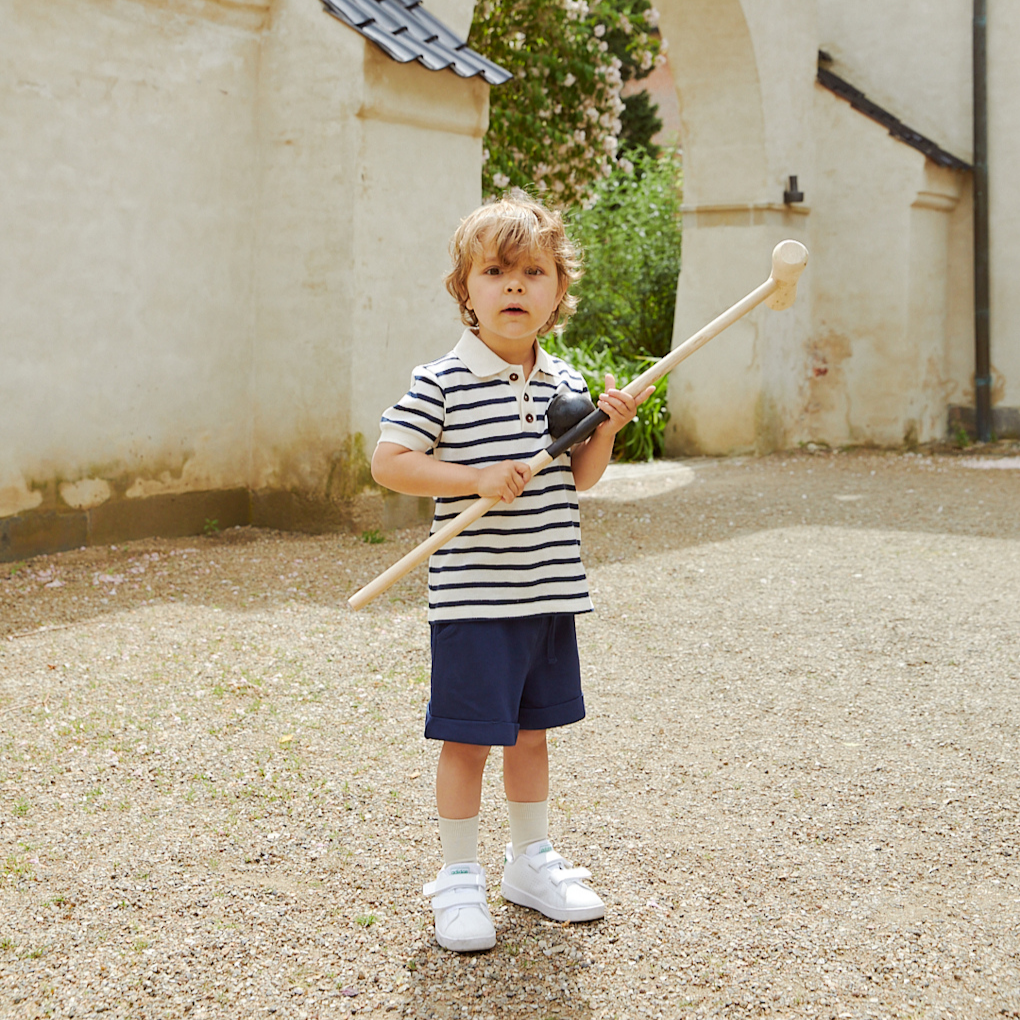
{"x": 555, "y": 126}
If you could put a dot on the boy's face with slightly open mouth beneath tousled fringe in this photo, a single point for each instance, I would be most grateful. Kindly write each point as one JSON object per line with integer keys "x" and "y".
{"x": 513, "y": 302}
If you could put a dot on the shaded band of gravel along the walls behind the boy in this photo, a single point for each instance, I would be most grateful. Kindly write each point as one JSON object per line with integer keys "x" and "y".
{"x": 250, "y": 570}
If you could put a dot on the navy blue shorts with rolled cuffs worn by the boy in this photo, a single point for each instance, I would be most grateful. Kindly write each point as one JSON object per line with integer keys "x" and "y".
{"x": 493, "y": 678}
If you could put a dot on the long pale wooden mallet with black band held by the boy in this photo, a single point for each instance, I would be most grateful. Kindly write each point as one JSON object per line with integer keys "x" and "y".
{"x": 779, "y": 292}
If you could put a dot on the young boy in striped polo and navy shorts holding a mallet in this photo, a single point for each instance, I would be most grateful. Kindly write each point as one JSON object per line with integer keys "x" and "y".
{"x": 502, "y": 595}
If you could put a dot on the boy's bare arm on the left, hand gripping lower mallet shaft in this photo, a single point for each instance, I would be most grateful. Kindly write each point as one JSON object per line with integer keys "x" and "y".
{"x": 418, "y": 474}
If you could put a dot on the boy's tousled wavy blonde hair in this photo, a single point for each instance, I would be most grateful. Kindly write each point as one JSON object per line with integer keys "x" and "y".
{"x": 517, "y": 226}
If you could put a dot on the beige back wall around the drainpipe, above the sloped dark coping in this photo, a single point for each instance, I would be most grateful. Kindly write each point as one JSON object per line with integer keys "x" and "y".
{"x": 915, "y": 59}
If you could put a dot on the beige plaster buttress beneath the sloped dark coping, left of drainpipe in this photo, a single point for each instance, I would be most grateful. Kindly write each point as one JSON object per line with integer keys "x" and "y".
{"x": 880, "y": 339}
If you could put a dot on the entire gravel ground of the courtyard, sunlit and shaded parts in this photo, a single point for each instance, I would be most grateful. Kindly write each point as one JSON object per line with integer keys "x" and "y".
{"x": 797, "y": 787}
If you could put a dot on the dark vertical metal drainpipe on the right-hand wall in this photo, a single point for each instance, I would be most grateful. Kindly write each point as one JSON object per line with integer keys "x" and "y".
{"x": 983, "y": 316}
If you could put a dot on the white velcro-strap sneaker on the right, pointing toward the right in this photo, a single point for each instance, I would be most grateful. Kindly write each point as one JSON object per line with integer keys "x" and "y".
{"x": 540, "y": 879}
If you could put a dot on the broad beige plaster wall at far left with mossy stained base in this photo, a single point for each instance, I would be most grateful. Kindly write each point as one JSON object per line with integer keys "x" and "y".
{"x": 127, "y": 213}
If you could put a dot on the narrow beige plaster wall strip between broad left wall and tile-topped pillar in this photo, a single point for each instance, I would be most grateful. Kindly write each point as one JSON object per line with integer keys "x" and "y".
{"x": 305, "y": 251}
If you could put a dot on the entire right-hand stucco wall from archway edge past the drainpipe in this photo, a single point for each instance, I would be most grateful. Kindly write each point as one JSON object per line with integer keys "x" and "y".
{"x": 881, "y": 342}
